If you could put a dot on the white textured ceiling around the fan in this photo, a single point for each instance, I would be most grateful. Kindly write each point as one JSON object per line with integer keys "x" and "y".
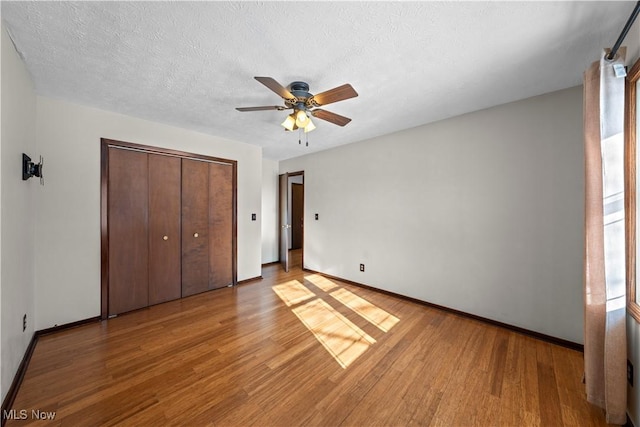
{"x": 190, "y": 64}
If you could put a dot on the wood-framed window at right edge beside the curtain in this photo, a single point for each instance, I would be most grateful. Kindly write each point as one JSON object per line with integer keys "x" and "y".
{"x": 631, "y": 187}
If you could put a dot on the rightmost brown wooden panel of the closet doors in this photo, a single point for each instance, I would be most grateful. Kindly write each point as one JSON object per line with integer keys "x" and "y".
{"x": 220, "y": 225}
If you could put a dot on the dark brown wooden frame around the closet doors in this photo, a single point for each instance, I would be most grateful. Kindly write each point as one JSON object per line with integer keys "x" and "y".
{"x": 105, "y": 145}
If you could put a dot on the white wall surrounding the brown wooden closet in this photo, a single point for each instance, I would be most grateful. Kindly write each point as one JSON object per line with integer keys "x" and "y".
{"x": 68, "y": 210}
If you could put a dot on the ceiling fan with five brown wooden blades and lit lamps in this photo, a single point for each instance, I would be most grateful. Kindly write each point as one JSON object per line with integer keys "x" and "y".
{"x": 303, "y": 103}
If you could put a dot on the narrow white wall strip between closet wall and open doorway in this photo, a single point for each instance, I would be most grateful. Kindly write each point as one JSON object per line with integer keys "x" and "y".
{"x": 269, "y": 211}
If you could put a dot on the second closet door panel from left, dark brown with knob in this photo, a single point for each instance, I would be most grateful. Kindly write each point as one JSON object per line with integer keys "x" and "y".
{"x": 164, "y": 229}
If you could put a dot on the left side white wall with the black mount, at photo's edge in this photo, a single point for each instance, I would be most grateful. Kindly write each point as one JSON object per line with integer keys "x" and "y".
{"x": 16, "y": 212}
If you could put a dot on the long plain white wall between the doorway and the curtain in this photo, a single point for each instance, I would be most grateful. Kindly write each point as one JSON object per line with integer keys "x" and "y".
{"x": 482, "y": 213}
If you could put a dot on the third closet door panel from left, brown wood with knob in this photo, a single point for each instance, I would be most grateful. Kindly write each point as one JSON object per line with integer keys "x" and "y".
{"x": 195, "y": 227}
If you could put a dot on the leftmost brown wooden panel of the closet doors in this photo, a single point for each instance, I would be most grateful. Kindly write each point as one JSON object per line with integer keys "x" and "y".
{"x": 128, "y": 245}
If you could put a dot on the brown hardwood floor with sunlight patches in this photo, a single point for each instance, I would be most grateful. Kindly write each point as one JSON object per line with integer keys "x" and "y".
{"x": 299, "y": 349}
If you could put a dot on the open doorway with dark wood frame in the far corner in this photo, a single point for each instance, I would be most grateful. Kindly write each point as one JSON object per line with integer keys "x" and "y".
{"x": 291, "y": 219}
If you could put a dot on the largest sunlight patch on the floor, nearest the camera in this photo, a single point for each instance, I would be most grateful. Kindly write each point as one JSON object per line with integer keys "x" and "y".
{"x": 340, "y": 337}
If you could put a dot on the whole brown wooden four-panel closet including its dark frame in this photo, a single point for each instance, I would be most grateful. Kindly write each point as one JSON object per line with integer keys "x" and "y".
{"x": 168, "y": 225}
